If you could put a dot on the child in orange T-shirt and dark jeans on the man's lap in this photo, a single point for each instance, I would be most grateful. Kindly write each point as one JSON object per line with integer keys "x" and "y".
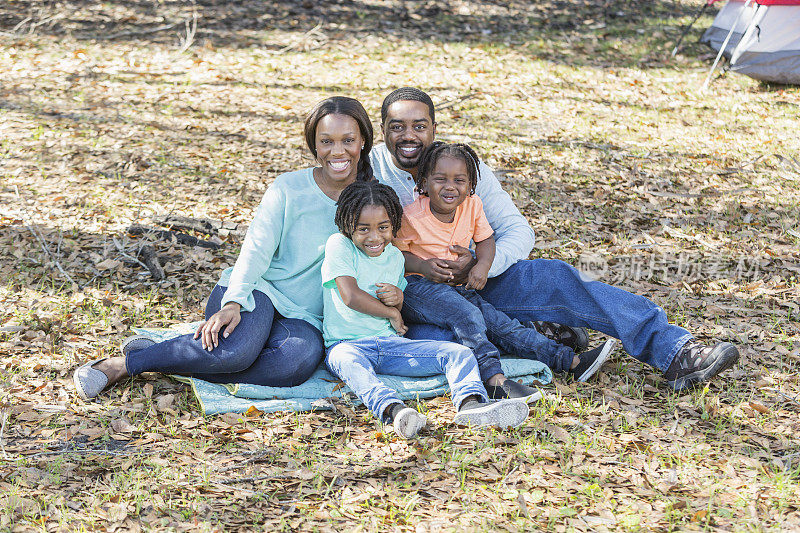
{"x": 447, "y": 213}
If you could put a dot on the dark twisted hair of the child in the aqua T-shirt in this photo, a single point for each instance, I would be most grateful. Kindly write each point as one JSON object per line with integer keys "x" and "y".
{"x": 358, "y": 195}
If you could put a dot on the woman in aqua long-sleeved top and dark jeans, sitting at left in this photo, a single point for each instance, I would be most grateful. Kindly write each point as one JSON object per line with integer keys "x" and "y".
{"x": 264, "y": 317}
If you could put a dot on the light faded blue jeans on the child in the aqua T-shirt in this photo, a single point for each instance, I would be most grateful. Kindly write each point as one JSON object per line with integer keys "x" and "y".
{"x": 357, "y": 362}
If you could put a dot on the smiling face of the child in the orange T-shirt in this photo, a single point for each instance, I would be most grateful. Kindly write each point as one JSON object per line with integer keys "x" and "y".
{"x": 447, "y": 187}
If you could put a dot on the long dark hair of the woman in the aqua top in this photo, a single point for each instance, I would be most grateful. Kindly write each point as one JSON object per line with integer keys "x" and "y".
{"x": 342, "y": 105}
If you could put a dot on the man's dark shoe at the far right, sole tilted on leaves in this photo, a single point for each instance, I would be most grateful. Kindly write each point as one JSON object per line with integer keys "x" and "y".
{"x": 697, "y": 362}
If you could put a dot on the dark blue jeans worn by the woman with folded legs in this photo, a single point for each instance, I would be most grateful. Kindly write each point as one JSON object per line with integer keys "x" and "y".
{"x": 264, "y": 349}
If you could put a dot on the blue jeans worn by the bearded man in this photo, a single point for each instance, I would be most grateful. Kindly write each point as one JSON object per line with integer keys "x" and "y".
{"x": 554, "y": 291}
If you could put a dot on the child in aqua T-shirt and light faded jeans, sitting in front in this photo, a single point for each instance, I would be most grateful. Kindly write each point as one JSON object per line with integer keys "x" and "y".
{"x": 362, "y": 280}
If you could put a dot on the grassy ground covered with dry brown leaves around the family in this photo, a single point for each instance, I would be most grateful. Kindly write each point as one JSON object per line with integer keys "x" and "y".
{"x": 126, "y": 112}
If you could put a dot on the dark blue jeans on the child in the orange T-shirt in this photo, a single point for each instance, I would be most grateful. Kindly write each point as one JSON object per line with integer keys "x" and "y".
{"x": 479, "y": 326}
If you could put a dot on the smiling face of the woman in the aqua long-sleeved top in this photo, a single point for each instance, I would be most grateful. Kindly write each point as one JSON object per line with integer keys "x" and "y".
{"x": 338, "y": 143}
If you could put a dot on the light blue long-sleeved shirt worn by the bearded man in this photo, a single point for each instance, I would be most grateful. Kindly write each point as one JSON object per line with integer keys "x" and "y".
{"x": 513, "y": 235}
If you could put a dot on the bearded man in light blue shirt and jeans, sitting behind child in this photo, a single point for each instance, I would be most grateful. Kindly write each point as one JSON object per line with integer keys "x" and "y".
{"x": 539, "y": 289}
